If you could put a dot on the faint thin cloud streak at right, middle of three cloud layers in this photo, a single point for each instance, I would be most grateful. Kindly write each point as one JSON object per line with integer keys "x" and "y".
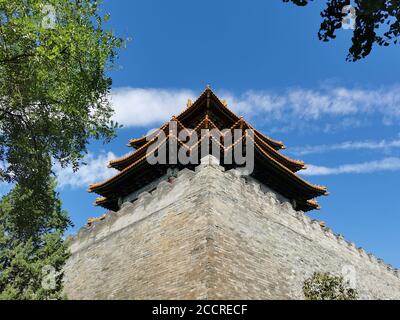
{"x": 348, "y": 145}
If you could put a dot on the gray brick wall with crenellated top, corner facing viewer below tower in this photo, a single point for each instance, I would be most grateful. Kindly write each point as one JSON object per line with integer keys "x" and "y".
{"x": 213, "y": 235}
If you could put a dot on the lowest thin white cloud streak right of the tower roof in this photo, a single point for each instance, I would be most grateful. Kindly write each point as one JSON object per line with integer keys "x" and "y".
{"x": 387, "y": 164}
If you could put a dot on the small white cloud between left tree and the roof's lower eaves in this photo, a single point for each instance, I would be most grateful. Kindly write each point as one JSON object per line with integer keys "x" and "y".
{"x": 94, "y": 171}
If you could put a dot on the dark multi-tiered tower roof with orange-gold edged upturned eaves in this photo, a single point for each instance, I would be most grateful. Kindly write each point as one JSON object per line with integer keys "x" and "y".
{"x": 271, "y": 167}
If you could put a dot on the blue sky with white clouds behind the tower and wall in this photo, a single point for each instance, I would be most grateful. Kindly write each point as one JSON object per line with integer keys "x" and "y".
{"x": 264, "y": 58}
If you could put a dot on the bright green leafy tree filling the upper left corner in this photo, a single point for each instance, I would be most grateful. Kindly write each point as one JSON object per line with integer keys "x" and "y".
{"x": 54, "y": 92}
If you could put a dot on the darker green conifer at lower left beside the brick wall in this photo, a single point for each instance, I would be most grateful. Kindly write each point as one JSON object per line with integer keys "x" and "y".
{"x": 32, "y": 250}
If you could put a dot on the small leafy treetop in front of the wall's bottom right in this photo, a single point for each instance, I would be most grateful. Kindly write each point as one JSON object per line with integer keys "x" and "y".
{"x": 324, "y": 286}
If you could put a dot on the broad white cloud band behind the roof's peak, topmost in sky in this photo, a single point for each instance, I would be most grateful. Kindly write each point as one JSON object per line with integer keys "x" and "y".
{"x": 292, "y": 107}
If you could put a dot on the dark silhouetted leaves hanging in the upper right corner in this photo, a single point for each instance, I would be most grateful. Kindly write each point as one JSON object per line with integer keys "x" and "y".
{"x": 377, "y": 22}
